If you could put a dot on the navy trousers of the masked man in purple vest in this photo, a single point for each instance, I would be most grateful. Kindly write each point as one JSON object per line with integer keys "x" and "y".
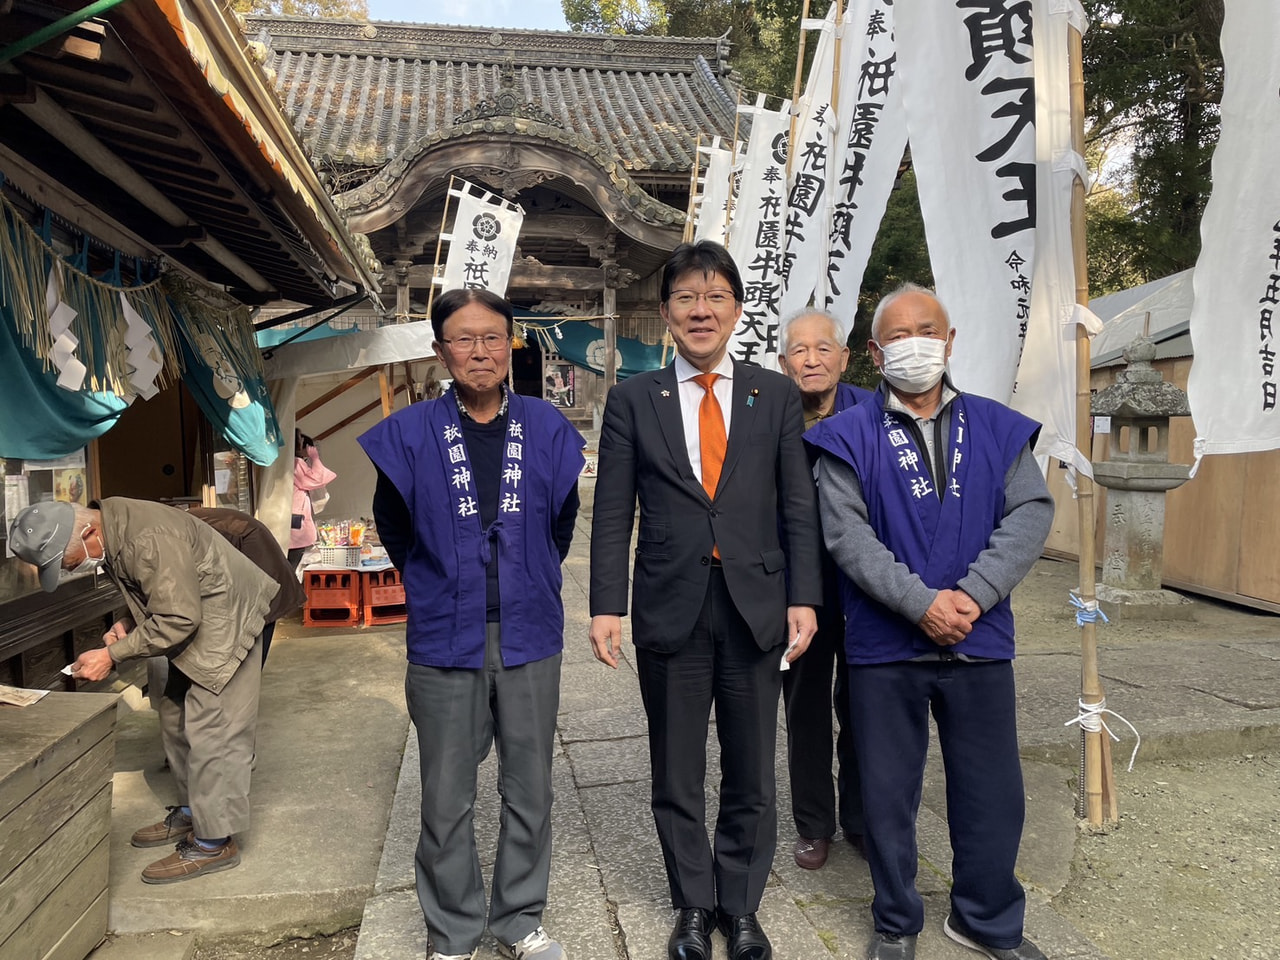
{"x": 975, "y": 710}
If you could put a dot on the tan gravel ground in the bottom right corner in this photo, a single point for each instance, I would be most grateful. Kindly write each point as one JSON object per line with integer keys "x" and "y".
{"x": 1192, "y": 871}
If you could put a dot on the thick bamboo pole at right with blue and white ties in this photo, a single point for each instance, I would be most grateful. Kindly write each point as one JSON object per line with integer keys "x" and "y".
{"x": 1096, "y": 776}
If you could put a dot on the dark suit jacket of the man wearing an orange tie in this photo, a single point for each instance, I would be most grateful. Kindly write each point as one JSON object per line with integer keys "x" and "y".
{"x": 766, "y": 476}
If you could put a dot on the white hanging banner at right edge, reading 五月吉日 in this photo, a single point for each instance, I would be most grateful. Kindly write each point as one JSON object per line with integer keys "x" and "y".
{"x": 1237, "y": 309}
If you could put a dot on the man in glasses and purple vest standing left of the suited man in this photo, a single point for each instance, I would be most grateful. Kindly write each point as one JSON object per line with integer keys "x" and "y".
{"x": 476, "y": 504}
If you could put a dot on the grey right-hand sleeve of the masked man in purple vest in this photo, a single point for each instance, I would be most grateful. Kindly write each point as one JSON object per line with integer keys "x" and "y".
{"x": 1017, "y": 543}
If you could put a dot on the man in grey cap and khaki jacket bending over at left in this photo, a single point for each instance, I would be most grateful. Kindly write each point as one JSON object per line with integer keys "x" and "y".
{"x": 196, "y": 601}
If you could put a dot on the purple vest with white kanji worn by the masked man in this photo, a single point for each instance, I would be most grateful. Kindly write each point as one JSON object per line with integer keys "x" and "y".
{"x": 936, "y": 537}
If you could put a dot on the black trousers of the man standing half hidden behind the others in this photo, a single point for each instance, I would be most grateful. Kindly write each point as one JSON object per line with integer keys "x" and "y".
{"x": 811, "y": 703}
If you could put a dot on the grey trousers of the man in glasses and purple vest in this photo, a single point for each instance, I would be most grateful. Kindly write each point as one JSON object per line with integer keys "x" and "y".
{"x": 458, "y": 715}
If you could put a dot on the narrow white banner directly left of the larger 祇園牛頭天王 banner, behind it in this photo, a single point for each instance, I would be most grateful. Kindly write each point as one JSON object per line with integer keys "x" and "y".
{"x": 808, "y": 189}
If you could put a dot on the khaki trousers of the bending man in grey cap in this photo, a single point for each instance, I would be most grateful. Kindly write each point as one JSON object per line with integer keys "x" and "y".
{"x": 209, "y": 742}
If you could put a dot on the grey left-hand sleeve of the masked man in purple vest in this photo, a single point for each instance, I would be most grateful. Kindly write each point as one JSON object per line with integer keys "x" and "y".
{"x": 856, "y": 548}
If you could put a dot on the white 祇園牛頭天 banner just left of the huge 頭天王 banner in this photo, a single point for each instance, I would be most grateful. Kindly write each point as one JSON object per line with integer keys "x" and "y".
{"x": 874, "y": 134}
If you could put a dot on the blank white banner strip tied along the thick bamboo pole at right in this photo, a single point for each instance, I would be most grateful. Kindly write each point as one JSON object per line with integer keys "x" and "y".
{"x": 1046, "y": 376}
